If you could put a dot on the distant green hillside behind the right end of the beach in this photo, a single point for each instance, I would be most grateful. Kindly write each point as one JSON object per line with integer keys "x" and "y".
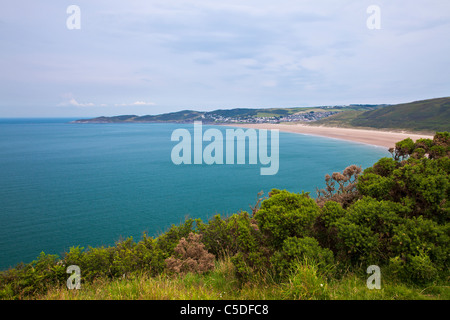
{"x": 426, "y": 115}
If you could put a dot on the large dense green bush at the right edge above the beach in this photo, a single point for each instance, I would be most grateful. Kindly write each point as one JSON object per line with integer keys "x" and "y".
{"x": 402, "y": 219}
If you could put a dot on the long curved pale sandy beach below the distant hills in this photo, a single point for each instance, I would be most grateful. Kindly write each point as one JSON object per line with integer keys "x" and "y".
{"x": 380, "y": 138}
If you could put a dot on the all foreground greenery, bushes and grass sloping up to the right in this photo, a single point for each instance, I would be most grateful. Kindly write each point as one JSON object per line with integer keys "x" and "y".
{"x": 394, "y": 214}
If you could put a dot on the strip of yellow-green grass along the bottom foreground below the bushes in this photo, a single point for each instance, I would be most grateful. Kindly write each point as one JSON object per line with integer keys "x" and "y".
{"x": 306, "y": 283}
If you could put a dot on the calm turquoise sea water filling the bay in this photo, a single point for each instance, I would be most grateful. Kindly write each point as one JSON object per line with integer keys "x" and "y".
{"x": 64, "y": 184}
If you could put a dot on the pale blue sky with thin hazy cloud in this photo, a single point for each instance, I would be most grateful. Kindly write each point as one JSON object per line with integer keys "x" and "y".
{"x": 157, "y": 56}
